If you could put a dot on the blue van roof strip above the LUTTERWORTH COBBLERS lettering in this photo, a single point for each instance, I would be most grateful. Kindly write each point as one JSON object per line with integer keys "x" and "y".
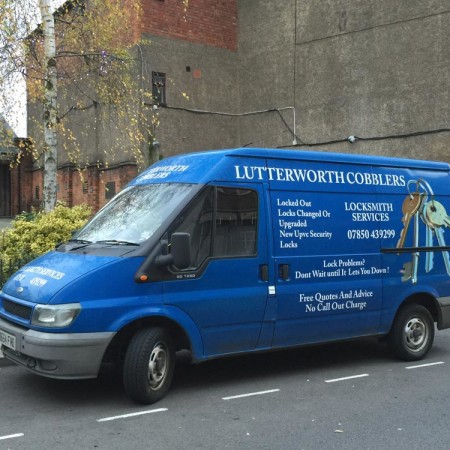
{"x": 308, "y": 155}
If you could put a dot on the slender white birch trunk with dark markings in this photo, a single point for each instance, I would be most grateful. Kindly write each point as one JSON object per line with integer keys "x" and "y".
{"x": 49, "y": 117}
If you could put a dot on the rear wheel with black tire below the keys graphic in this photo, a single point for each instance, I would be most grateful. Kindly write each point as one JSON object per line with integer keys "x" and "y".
{"x": 412, "y": 333}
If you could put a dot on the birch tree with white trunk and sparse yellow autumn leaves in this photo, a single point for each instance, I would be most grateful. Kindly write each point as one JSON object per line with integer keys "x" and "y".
{"x": 85, "y": 48}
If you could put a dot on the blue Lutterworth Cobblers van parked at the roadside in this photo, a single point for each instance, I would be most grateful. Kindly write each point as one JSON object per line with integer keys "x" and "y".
{"x": 226, "y": 252}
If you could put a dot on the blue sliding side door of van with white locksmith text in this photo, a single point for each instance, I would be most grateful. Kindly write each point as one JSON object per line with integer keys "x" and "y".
{"x": 326, "y": 253}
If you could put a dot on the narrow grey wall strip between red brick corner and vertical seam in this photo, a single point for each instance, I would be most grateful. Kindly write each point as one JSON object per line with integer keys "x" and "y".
{"x": 266, "y": 70}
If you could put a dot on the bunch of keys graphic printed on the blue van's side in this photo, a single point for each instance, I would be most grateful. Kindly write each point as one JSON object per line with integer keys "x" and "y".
{"x": 420, "y": 205}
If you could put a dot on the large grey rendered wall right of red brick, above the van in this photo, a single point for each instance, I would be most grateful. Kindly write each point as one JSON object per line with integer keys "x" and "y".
{"x": 372, "y": 69}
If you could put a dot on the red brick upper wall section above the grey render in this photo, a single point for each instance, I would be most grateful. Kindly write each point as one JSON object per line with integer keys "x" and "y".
{"x": 209, "y": 22}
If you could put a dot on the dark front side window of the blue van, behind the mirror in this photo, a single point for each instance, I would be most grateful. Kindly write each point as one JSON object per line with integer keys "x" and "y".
{"x": 222, "y": 222}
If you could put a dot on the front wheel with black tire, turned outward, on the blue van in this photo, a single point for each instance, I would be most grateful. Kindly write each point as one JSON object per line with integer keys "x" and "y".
{"x": 149, "y": 365}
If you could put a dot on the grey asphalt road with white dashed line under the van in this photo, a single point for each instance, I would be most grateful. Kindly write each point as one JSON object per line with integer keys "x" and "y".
{"x": 341, "y": 396}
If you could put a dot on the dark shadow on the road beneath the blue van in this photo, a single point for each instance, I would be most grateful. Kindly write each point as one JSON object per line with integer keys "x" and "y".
{"x": 107, "y": 390}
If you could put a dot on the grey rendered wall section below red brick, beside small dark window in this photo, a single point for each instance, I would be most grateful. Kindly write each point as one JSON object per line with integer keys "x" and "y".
{"x": 211, "y": 86}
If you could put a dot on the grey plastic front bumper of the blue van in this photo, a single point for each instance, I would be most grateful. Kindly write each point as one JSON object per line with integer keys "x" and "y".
{"x": 57, "y": 355}
